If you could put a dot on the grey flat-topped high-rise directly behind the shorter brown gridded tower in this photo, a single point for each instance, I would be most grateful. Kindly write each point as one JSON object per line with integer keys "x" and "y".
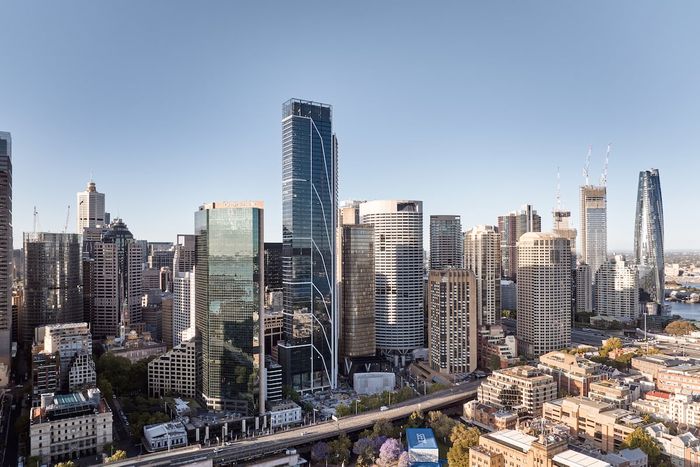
{"x": 446, "y": 244}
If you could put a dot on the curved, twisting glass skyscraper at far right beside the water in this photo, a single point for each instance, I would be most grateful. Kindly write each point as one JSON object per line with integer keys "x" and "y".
{"x": 649, "y": 237}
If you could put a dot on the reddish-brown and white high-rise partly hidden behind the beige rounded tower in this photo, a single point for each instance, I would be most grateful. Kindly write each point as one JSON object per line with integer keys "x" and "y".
{"x": 511, "y": 227}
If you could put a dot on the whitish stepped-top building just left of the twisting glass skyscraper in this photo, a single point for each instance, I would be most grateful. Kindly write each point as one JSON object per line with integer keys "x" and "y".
{"x": 617, "y": 290}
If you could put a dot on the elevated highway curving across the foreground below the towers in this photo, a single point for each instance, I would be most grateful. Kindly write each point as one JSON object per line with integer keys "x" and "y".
{"x": 251, "y": 448}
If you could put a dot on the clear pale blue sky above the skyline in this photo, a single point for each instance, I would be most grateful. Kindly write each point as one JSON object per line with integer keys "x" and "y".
{"x": 468, "y": 106}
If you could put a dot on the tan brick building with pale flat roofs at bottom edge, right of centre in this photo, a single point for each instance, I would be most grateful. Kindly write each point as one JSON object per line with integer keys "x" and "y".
{"x": 514, "y": 448}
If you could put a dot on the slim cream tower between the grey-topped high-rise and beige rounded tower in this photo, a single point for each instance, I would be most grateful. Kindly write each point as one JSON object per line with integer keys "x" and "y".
{"x": 482, "y": 256}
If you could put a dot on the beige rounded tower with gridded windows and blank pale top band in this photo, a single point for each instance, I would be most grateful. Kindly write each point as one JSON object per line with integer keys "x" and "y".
{"x": 544, "y": 293}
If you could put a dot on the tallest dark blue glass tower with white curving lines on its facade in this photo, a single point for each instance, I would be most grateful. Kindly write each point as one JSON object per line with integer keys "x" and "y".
{"x": 308, "y": 353}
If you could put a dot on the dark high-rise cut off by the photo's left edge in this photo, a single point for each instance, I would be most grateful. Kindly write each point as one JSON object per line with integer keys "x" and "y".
{"x": 5, "y": 255}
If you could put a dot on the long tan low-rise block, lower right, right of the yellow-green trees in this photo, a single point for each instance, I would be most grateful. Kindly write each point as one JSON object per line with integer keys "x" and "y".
{"x": 597, "y": 423}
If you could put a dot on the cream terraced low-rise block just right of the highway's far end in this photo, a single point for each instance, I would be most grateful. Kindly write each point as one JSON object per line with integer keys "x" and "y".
{"x": 522, "y": 389}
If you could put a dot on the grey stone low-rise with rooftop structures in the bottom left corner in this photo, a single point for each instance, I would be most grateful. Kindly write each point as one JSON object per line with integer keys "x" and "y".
{"x": 67, "y": 426}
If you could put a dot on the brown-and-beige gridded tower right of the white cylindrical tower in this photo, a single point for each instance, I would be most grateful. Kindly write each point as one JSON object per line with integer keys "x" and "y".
{"x": 452, "y": 314}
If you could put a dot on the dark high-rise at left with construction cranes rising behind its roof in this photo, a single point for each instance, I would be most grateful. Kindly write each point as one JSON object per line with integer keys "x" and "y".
{"x": 52, "y": 281}
